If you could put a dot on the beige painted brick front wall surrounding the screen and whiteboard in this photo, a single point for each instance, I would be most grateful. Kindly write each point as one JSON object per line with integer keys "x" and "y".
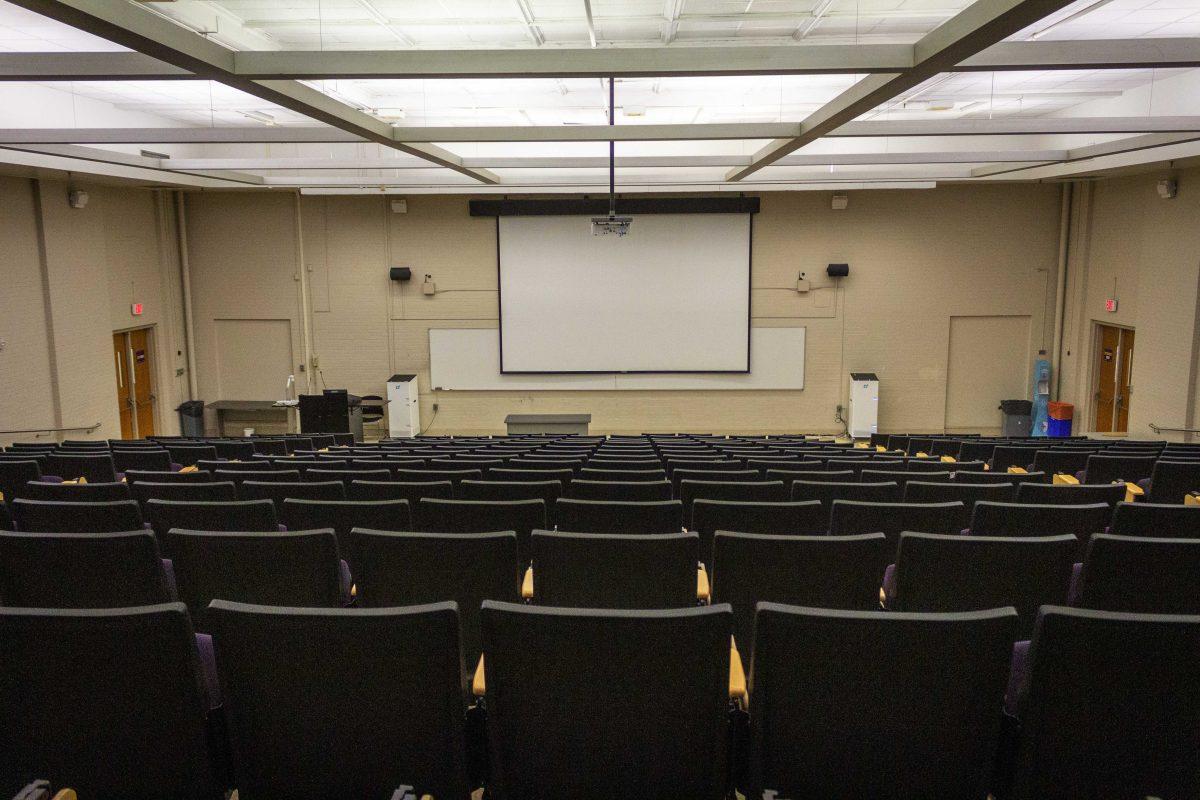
{"x": 917, "y": 260}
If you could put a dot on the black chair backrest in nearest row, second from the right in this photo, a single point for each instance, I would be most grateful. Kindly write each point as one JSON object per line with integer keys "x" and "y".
{"x": 872, "y": 705}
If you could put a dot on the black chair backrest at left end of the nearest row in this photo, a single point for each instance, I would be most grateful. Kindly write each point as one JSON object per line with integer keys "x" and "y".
{"x": 109, "y": 702}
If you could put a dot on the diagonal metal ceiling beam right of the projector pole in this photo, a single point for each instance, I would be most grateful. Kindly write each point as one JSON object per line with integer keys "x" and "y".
{"x": 976, "y": 28}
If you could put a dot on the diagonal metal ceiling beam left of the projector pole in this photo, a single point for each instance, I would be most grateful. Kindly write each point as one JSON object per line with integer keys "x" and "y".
{"x": 139, "y": 29}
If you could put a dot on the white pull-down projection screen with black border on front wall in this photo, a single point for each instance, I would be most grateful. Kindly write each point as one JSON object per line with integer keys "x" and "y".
{"x": 671, "y": 297}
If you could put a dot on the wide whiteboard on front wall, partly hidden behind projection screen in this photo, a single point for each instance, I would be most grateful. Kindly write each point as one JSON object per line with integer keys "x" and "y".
{"x": 469, "y": 359}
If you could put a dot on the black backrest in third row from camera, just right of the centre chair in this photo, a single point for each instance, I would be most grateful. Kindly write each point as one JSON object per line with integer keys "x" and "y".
{"x": 789, "y": 519}
